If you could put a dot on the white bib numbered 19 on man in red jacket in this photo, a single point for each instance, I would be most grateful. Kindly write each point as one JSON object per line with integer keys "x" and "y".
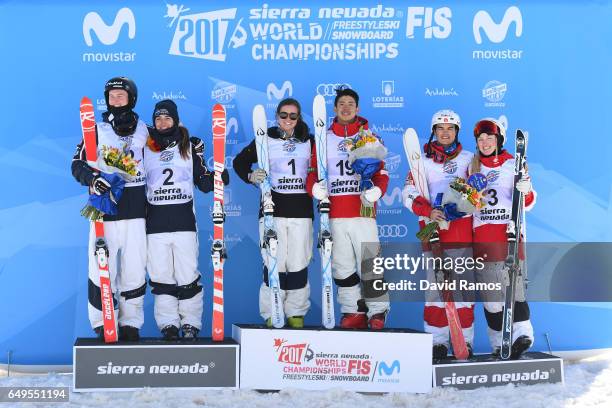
{"x": 342, "y": 179}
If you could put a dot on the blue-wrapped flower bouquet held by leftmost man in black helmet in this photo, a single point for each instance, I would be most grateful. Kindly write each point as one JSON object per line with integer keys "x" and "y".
{"x": 115, "y": 166}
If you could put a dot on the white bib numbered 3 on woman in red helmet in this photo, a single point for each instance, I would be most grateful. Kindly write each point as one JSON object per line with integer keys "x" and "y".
{"x": 500, "y": 182}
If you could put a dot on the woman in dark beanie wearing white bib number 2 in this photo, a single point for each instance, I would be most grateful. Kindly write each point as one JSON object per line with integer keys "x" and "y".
{"x": 174, "y": 162}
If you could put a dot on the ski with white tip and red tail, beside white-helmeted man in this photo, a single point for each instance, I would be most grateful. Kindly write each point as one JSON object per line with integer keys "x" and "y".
{"x": 414, "y": 154}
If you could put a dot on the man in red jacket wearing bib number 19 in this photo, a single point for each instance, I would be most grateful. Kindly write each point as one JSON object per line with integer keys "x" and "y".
{"x": 348, "y": 228}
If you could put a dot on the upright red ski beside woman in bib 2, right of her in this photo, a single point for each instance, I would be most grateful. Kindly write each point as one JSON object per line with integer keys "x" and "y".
{"x": 218, "y": 216}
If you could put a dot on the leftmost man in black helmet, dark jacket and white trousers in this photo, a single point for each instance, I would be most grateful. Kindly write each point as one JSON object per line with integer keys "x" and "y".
{"x": 125, "y": 231}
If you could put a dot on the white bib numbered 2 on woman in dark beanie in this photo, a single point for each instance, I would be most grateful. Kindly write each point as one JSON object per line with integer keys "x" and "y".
{"x": 169, "y": 177}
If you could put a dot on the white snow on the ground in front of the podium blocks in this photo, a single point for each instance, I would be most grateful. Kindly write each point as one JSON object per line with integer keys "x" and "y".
{"x": 587, "y": 384}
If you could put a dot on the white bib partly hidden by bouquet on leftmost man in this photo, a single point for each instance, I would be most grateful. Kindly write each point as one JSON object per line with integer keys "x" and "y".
{"x": 108, "y": 137}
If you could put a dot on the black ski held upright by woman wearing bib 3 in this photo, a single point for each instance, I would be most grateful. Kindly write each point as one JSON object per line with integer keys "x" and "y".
{"x": 513, "y": 232}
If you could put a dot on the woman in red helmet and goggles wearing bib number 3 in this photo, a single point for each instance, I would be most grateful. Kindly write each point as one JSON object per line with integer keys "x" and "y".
{"x": 490, "y": 238}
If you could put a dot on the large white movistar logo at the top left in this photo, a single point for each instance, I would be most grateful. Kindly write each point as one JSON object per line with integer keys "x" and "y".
{"x": 108, "y": 35}
